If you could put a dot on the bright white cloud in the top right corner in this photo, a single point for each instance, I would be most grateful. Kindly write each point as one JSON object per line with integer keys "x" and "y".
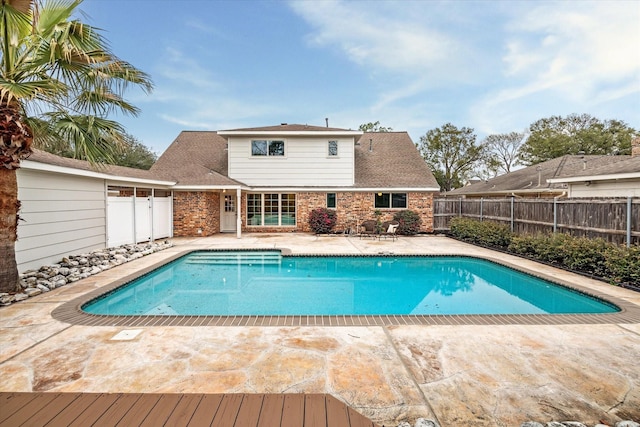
{"x": 574, "y": 47}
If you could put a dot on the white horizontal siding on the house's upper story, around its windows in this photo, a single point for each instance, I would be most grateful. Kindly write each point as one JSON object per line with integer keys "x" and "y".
{"x": 306, "y": 163}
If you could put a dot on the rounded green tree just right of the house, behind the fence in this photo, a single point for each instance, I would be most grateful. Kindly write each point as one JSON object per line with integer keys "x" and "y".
{"x": 451, "y": 153}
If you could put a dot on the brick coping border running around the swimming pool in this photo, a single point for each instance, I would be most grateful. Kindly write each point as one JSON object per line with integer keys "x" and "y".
{"x": 71, "y": 311}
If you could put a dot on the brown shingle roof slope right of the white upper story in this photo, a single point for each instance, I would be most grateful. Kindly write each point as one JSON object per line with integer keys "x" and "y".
{"x": 394, "y": 161}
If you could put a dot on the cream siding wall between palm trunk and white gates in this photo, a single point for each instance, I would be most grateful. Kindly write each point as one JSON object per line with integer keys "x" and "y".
{"x": 60, "y": 215}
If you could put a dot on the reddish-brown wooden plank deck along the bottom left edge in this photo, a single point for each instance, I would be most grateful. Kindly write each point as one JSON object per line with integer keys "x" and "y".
{"x": 137, "y": 409}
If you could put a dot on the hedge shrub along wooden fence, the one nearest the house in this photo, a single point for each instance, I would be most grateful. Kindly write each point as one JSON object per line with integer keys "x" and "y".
{"x": 485, "y": 233}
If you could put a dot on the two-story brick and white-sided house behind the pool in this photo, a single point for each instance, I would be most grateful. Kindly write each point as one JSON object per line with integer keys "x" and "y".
{"x": 270, "y": 178}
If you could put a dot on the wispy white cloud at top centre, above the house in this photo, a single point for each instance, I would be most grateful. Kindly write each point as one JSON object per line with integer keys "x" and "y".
{"x": 383, "y": 36}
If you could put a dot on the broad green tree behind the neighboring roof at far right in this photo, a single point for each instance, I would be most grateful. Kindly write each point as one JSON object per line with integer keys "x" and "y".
{"x": 575, "y": 134}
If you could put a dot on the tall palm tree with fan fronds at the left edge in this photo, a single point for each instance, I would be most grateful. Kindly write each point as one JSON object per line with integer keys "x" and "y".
{"x": 58, "y": 82}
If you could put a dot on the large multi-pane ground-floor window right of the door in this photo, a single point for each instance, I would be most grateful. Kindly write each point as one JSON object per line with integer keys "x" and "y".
{"x": 271, "y": 209}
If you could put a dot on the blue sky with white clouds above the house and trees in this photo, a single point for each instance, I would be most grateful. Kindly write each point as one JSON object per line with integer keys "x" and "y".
{"x": 494, "y": 66}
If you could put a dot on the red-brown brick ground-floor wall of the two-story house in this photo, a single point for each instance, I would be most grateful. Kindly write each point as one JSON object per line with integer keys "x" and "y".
{"x": 201, "y": 210}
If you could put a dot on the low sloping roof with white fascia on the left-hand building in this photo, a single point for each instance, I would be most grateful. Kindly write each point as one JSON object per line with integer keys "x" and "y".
{"x": 64, "y": 164}
